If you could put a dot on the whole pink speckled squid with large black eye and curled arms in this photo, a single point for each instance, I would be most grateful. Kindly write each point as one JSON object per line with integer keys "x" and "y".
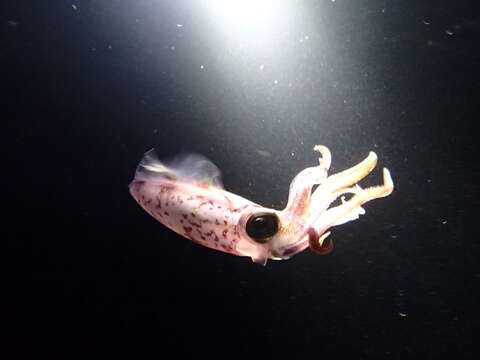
{"x": 187, "y": 196}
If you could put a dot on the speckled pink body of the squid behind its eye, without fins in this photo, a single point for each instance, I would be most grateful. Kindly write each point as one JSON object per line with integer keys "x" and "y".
{"x": 204, "y": 214}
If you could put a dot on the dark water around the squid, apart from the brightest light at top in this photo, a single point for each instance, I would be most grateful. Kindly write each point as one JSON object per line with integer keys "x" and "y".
{"x": 88, "y": 88}
